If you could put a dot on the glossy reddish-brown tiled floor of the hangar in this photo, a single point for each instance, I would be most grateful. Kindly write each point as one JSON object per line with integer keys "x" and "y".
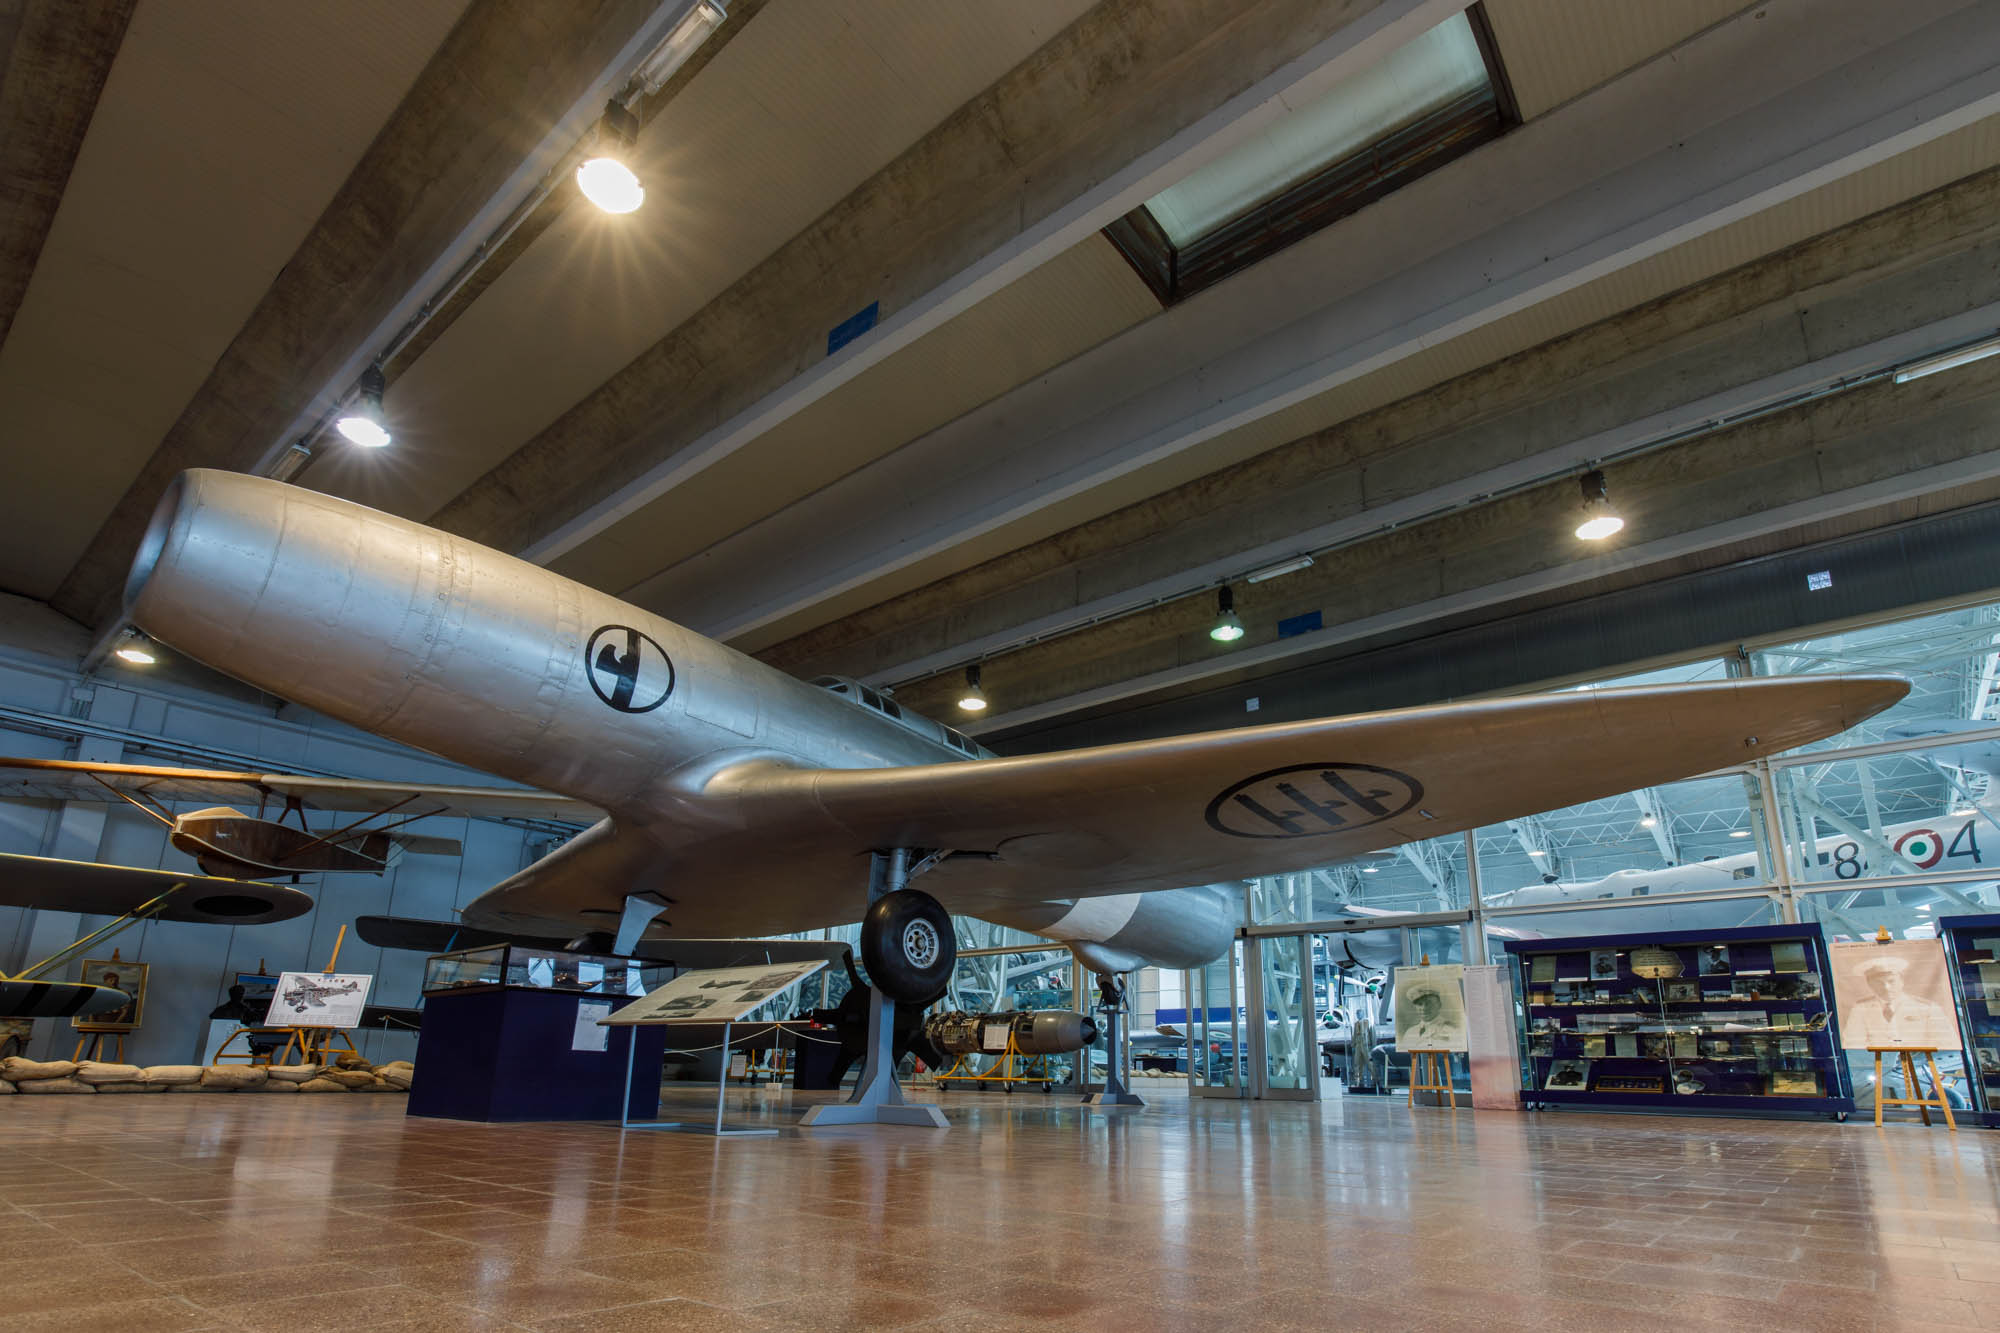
{"x": 169, "y": 1214}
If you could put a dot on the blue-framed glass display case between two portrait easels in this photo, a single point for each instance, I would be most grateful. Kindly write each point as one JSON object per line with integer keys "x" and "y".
{"x": 1735, "y": 1020}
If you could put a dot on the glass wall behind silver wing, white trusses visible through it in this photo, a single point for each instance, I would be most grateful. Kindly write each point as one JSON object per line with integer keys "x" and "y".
{"x": 1887, "y": 826}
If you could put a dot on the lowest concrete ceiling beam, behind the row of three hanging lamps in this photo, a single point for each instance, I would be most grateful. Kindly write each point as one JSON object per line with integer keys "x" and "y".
{"x": 1851, "y": 453}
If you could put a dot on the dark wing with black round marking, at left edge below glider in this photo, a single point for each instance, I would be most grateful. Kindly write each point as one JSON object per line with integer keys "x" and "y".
{"x": 119, "y": 890}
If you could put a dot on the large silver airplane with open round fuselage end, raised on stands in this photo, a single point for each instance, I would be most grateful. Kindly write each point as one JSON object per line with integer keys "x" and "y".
{"x": 741, "y": 802}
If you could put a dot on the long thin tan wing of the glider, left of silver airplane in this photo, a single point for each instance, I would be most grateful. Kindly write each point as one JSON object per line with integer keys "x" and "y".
{"x": 67, "y": 780}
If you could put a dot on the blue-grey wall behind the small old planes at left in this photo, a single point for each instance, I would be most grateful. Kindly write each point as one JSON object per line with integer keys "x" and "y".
{"x": 141, "y": 720}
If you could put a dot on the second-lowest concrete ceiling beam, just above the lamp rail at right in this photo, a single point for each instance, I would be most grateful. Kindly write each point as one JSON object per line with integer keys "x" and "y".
{"x": 1871, "y": 295}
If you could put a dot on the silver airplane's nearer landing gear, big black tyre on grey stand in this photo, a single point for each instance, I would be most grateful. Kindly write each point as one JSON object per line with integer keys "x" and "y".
{"x": 909, "y": 950}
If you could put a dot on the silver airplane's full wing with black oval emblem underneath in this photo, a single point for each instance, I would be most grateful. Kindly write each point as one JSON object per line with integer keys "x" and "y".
{"x": 769, "y": 848}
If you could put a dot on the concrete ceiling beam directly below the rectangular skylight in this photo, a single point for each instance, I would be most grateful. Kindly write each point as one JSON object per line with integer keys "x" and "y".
{"x": 1749, "y": 115}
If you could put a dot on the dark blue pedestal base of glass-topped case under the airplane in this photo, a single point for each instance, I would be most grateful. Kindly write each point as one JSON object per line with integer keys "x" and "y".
{"x": 507, "y": 1054}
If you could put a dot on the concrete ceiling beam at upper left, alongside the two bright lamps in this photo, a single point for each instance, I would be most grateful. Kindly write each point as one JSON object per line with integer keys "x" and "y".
{"x": 511, "y": 89}
